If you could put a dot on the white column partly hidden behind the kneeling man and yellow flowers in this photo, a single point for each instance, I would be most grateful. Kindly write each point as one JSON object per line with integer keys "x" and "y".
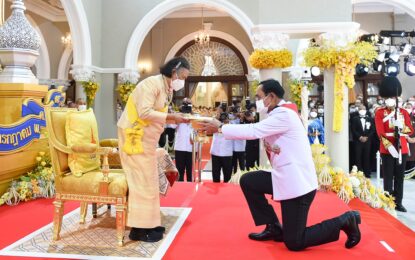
{"x": 269, "y": 40}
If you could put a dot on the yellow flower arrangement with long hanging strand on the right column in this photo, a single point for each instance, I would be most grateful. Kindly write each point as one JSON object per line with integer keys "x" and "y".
{"x": 344, "y": 61}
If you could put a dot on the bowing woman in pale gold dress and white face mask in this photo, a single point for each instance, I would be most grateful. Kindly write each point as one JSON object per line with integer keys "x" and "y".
{"x": 139, "y": 130}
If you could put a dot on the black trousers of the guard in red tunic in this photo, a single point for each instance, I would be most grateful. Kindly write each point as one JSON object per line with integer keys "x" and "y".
{"x": 393, "y": 174}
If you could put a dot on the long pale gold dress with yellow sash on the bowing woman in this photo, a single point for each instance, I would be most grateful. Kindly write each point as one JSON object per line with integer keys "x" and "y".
{"x": 139, "y": 129}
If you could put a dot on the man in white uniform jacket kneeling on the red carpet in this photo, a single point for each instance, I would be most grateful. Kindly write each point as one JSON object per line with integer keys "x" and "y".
{"x": 292, "y": 180}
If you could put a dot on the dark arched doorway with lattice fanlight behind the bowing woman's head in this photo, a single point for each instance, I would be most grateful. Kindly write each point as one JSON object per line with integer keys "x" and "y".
{"x": 217, "y": 73}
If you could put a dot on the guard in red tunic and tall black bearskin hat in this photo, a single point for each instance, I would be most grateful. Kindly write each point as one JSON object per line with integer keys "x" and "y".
{"x": 392, "y": 121}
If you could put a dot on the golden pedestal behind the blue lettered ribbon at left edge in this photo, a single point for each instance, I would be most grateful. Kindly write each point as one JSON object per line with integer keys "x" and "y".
{"x": 13, "y": 164}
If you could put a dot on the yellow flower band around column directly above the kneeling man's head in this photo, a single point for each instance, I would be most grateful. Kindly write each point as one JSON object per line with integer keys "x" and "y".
{"x": 268, "y": 59}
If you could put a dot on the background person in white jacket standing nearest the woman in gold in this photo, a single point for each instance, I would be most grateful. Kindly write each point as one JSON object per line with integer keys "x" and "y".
{"x": 183, "y": 146}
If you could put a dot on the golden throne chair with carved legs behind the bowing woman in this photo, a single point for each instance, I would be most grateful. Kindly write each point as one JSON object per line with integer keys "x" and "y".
{"x": 102, "y": 186}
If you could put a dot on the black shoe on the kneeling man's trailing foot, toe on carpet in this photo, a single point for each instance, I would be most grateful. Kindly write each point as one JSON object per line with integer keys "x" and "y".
{"x": 350, "y": 225}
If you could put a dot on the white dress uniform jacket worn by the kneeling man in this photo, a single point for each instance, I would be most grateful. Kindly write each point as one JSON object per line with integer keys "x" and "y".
{"x": 293, "y": 172}
